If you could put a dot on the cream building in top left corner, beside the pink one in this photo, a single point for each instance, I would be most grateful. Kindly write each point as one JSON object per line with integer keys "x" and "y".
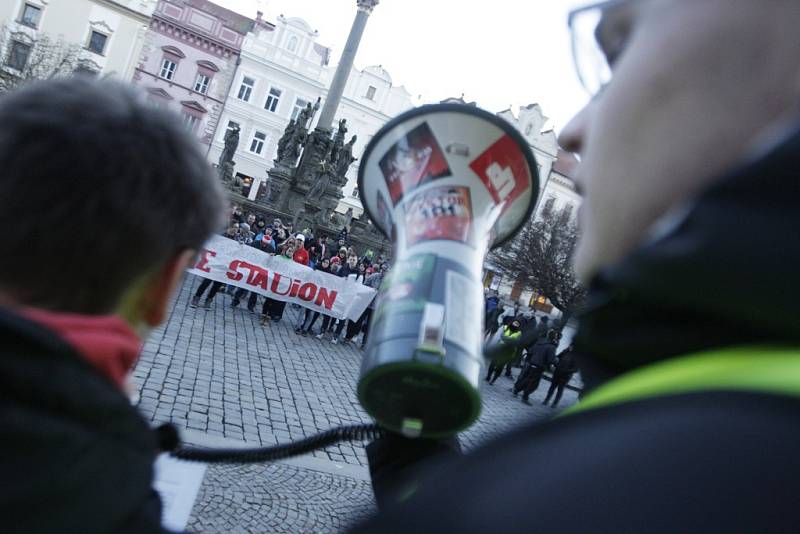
{"x": 110, "y": 32}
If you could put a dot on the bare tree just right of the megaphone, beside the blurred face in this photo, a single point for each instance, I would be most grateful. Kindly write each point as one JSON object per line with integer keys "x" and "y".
{"x": 540, "y": 256}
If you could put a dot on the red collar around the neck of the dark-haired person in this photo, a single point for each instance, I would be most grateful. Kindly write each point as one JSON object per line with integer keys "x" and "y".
{"x": 105, "y": 341}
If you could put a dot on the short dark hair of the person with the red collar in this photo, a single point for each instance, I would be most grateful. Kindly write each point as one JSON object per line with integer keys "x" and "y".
{"x": 117, "y": 189}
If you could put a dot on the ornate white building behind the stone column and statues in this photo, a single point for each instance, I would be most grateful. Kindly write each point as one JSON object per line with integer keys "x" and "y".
{"x": 282, "y": 69}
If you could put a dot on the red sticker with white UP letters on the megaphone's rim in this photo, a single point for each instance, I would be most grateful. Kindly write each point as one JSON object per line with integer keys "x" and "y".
{"x": 503, "y": 170}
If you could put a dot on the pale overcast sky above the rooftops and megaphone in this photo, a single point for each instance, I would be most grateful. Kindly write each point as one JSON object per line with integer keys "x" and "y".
{"x": 499, "y": 53}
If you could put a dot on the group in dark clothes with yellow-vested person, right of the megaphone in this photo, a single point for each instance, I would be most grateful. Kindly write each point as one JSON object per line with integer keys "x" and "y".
{"x": 529, "y": 344}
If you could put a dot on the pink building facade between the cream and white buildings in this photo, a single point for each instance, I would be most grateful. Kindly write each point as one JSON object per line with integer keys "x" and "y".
{"x": 189, "y": 60}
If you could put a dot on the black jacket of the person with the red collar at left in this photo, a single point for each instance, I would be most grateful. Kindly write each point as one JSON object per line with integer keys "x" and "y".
{"x": 75, "y": 456}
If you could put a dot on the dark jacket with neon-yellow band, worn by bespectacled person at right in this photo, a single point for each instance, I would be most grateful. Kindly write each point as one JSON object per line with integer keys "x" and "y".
{"x": 723, "y": 274}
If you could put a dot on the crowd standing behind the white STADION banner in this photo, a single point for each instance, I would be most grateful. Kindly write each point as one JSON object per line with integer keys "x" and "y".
{"x": 334, "y": 256}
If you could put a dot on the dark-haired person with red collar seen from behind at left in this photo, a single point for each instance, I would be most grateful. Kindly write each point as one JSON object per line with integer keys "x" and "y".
{"x": 74, "y": 311}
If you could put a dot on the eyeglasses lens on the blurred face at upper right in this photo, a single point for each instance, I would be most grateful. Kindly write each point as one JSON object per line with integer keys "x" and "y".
{"x": 599, "y": 33}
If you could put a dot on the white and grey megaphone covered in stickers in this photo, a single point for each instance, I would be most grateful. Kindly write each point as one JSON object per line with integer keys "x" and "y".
{"x": 445, "y": 183}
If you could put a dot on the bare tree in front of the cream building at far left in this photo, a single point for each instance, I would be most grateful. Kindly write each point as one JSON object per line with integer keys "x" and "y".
{"x": 23, "y": 59}
